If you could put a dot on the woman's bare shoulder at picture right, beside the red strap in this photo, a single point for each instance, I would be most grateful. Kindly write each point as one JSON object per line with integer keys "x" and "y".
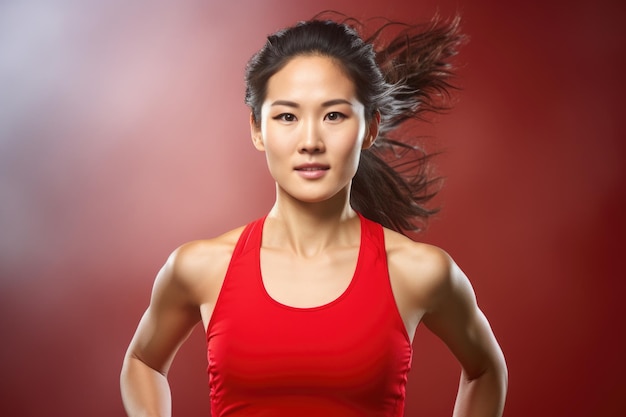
{"x": 421, "y": 271}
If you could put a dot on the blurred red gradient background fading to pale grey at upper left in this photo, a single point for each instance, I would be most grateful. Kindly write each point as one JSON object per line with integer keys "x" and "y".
{"x": 123, "y": 134}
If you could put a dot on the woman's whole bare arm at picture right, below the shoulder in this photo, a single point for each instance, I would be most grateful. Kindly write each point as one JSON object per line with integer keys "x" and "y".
{"x": 456, "y": 319}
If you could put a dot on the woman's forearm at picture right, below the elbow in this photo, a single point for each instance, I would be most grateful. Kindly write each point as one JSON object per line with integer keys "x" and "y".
{"x": 482, "y": 396}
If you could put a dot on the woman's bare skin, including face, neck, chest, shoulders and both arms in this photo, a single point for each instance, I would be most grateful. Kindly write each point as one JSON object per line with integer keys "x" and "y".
{"x": 312, "y": 119}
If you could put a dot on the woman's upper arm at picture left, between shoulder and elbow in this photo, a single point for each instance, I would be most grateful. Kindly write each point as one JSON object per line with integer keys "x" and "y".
{"x": 167, "y": 322}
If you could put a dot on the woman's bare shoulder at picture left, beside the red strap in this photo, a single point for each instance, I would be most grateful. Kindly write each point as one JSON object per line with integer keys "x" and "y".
{"x": 199, "y": 264}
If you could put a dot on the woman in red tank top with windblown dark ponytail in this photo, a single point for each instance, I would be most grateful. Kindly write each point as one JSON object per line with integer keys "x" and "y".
{"x": 311, "y": 310}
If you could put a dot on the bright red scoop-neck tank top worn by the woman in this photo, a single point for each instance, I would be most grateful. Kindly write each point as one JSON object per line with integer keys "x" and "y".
{"x": 349, "y": 357}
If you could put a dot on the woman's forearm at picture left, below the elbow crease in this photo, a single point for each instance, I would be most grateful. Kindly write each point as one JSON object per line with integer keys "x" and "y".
{"x": 145, "y": 391}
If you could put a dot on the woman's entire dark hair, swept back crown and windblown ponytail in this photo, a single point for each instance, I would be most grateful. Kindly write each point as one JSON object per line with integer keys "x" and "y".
{"x": 400, "y": 71}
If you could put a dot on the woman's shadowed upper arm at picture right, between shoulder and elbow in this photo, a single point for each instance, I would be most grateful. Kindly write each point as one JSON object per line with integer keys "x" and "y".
{"x": 458, "y": 321}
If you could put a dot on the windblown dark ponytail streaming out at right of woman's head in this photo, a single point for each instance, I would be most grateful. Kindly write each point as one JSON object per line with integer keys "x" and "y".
{"x": 394, "y": 182}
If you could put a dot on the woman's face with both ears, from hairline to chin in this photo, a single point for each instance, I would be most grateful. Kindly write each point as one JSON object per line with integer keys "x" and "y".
{"x": 312, "y": 129}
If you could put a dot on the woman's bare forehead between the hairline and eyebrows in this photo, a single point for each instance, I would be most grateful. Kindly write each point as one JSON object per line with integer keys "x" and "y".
{"x": 309, "y": 76}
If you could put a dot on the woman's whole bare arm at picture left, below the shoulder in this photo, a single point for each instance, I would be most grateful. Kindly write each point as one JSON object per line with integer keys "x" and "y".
{"x": 168, "y": 321}
